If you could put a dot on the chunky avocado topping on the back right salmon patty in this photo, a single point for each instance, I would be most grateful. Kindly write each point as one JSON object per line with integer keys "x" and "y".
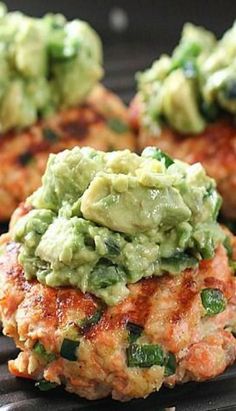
{"x": 193, "y": 86}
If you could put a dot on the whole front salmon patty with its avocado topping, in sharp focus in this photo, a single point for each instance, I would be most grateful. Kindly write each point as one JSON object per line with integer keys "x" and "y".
{"x": 105, "y": 301}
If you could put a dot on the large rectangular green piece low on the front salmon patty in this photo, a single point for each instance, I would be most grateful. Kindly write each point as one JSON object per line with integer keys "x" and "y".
{"x": 144, "y": 356}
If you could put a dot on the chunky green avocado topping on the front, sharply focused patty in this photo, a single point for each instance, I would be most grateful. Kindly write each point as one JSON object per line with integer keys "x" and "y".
{"x": 103, "y": 220}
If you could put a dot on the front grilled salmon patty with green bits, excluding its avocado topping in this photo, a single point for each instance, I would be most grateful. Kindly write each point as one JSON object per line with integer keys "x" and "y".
{"x": 168, "y": 330}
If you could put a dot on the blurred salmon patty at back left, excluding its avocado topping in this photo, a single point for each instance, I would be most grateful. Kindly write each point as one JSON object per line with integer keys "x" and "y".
{"x": 101, "y": 122}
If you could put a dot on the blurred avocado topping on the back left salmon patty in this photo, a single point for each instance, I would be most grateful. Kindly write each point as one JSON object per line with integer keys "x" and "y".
{"x": 45, "y": 64}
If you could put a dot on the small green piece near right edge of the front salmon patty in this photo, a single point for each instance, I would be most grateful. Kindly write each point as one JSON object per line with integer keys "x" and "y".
{"x": 213, "y": 301}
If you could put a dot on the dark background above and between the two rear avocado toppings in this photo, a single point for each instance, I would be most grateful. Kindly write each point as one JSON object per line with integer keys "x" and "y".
{"x": 147, "y": 28}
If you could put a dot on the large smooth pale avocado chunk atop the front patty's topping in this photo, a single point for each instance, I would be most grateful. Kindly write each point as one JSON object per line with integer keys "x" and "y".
{"x": 111, "y": 205}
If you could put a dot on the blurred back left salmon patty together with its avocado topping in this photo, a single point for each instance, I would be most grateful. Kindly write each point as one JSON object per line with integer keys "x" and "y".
{"x": 50, "y": 99}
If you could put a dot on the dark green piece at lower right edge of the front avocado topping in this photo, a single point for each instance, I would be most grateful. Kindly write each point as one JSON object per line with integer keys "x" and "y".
{"x": 178, "y": 262}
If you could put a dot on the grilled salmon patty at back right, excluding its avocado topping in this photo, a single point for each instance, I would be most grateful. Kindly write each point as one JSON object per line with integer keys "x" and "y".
{"x": 215, "y": 148}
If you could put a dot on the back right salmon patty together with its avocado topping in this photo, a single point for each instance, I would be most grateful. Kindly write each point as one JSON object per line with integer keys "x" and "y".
{"x": 186, "y": 104}
